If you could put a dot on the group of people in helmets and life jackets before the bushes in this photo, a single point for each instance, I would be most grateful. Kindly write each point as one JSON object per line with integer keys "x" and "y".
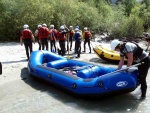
{"x": 44, "y": 35}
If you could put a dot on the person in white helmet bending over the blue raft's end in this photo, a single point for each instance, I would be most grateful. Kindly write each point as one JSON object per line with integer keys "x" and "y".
{"x": 133, "y": 52}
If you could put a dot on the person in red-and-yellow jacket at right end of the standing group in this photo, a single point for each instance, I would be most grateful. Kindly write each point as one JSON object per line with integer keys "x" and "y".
{"x": 87, "y": 37}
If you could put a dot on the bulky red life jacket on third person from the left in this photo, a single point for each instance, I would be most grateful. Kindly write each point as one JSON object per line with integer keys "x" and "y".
{"x": 43, "y": 32}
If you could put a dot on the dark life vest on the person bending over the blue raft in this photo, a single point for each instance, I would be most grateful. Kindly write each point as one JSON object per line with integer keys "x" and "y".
{"x": 137, "y": 53}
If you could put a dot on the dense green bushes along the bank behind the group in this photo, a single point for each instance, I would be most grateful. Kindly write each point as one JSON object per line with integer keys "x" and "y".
{"x": 126, "y": 18}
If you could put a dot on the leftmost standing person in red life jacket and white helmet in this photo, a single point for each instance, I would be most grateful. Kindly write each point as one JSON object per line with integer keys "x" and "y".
{"x": 27, "y": 38}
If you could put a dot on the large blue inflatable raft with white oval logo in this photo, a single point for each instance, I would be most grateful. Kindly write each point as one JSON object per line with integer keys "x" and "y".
{"x": 81, "y": 78}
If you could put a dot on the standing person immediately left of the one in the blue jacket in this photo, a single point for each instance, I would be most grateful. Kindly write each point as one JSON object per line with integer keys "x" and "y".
{"x": 70, "y": 37}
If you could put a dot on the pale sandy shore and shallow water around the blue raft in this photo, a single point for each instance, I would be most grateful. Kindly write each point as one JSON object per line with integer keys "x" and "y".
{"x": 20, "y": 93}
